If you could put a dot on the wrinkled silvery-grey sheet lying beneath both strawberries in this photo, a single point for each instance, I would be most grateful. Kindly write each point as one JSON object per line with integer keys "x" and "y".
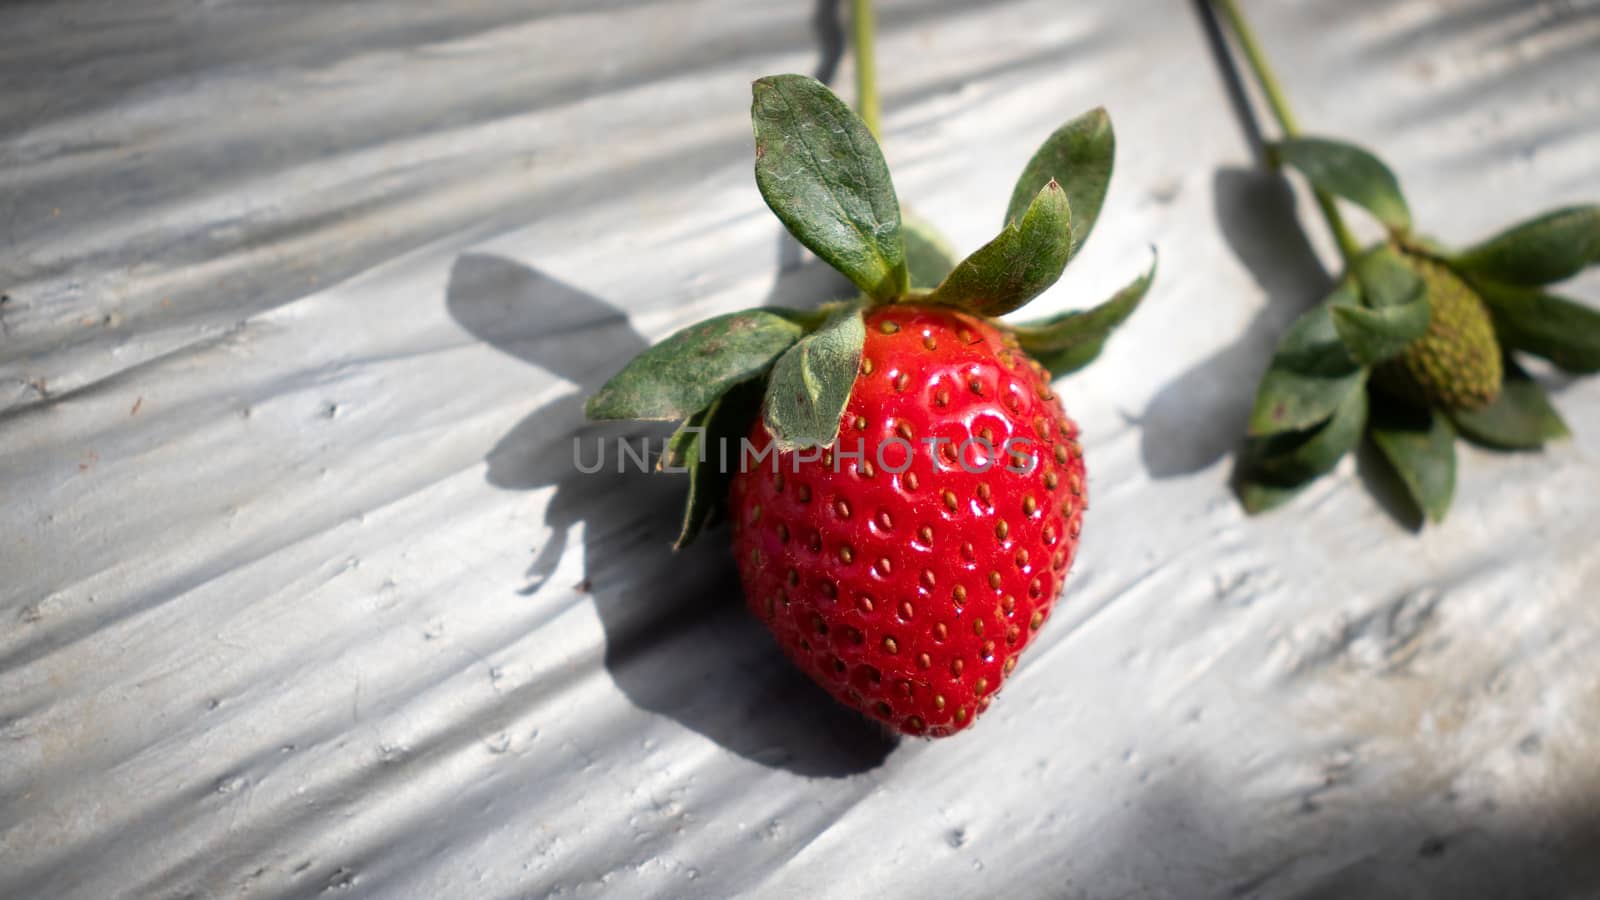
{"x": 302, "y": 593}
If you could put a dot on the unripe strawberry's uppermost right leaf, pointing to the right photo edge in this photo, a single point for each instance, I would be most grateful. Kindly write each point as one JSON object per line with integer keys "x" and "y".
{"x": 1542, "y": 251}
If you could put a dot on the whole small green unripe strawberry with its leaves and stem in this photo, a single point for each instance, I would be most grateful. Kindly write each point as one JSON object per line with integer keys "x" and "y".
{"x": 1412, "y": 324}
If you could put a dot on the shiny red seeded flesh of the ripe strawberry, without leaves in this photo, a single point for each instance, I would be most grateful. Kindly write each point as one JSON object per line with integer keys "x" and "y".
{"x": 910, "y": 597}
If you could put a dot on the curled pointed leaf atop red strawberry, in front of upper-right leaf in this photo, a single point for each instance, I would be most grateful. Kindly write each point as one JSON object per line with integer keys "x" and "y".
{"x": 1017, "y": 267}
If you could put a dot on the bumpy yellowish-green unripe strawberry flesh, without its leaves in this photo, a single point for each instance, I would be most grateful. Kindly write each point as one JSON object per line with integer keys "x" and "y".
{"x": 1457, "y": 364}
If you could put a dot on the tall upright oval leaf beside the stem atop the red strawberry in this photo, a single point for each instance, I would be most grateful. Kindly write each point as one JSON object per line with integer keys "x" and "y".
{"x": 825, "y": 177}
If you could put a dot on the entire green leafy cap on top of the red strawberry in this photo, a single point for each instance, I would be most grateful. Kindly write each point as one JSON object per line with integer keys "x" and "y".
{"x": 825, "y": 177}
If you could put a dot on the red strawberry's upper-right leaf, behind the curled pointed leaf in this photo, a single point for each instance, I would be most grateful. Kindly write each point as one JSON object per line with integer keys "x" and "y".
{"x": 1078, "y": 156}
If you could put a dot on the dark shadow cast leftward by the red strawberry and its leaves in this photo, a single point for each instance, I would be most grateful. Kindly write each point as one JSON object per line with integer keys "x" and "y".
{"x": 679, "y": 641}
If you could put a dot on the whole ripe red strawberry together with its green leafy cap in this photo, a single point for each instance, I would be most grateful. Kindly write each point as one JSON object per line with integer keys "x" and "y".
{"x": 905, "y": 488}
